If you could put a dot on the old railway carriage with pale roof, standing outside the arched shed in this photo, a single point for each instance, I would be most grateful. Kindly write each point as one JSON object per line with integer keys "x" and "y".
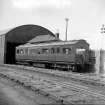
{"x": 67, "y": 55}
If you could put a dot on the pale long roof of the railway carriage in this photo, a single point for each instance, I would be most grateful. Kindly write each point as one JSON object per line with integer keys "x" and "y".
{"x": 53, "y": 43}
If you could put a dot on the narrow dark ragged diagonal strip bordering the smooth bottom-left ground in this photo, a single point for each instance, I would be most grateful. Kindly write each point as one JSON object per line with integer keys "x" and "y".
{"x": 57, "y": 100}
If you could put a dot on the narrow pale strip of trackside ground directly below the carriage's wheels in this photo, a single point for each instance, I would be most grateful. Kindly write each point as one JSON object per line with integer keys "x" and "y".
{"x": 85, "y": 79}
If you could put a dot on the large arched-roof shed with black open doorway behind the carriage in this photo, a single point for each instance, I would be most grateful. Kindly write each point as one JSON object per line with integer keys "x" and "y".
{"x": 11, "y": 38}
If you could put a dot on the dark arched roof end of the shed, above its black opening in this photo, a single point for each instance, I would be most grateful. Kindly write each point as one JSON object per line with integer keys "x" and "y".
{"x": 24, "y": 33}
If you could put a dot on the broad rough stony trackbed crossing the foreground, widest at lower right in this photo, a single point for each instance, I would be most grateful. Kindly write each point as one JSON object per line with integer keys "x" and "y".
{"x": 66, "y": 91}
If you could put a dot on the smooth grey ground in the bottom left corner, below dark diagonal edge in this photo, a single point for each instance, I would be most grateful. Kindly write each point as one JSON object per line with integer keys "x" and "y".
{"x": 12, "y": 94}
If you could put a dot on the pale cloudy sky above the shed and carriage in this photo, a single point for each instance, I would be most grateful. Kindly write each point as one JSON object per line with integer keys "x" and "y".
{"x": 85, "y": 17}
